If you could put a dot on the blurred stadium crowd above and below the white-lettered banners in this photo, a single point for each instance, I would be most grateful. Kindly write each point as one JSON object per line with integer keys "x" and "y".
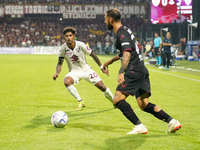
{"x": 46, "y": 30}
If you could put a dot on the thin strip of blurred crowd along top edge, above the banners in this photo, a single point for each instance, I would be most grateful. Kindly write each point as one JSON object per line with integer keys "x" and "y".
{"x": 72, "y": 1}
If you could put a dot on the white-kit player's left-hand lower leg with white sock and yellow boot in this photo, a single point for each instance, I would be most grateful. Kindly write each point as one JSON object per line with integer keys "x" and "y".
{"x": 73, "y": 91}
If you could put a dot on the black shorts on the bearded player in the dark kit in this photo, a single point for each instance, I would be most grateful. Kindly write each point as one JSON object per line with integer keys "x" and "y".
{"x": 135, "y": 83}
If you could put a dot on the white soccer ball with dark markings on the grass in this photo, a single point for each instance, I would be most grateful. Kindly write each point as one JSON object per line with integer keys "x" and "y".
{"x": 59, "y": 119}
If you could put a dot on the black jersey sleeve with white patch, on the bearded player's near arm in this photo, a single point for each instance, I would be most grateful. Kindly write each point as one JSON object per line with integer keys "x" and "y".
{"x": 125, "y": 43}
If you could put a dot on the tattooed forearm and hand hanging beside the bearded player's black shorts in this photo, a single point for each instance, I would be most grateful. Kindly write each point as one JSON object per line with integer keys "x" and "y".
{"x": 124, "y": 64}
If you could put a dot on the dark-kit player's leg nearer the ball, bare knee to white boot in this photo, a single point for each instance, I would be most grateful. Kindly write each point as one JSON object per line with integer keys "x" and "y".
{"x": 119, "y": 101}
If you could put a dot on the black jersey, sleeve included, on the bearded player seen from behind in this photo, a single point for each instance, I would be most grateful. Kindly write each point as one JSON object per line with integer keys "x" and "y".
{"x": 125, "y": 41}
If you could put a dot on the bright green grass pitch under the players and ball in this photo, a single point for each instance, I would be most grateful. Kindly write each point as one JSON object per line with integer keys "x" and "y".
{"x": 29, "y": 96}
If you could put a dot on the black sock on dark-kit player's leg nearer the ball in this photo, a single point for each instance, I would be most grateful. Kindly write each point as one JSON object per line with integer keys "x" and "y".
{"x": 128, "y": 112}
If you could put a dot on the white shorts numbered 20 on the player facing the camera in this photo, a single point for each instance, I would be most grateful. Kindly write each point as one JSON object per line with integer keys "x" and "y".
{"x": 88, "y": 75}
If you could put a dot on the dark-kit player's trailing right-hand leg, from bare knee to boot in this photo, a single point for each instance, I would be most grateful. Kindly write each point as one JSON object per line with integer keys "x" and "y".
{"x": 145, "y": 105}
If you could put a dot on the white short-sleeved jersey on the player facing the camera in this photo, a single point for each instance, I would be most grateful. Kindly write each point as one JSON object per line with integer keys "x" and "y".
{"x": 75, "y": 58}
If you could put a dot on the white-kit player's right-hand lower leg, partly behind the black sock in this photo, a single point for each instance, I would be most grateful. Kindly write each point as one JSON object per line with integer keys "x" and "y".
{"x": 108, "y": 94}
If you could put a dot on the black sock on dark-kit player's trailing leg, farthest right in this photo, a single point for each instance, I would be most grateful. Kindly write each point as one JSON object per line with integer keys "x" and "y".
{"x": 160, "y": 115}
